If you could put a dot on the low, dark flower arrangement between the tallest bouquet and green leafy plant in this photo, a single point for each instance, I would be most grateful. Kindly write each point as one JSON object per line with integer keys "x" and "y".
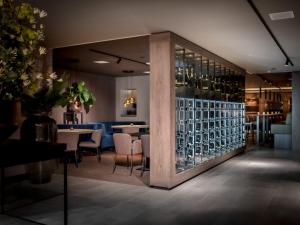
{"x": 44, "y": 92}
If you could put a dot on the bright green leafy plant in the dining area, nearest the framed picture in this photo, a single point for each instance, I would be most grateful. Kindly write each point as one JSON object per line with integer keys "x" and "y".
{"x": 78, "y": 92}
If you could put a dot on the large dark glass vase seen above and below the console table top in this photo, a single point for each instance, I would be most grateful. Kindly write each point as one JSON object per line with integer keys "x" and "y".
{"x": 39, "y": 128}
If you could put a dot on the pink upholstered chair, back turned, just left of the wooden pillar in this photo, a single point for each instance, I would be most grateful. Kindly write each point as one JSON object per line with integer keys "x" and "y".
{"x": 126, "y": 149}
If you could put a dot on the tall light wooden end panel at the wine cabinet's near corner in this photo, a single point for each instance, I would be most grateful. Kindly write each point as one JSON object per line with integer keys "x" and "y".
{"x": 162, "y": 110}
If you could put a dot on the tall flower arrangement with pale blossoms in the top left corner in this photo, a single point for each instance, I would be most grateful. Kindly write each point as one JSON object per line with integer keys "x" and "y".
{"x": 20, "y": 35}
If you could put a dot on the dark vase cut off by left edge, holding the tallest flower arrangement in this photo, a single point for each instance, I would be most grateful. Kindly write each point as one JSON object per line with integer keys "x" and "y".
{"x": 10, "y": 117}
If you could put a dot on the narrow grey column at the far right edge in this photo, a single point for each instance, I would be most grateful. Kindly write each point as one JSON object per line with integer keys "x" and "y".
{"x": 296, "y": 112}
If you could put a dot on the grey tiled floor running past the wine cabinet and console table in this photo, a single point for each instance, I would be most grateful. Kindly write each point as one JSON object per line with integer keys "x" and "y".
{"x": 260, "y": 187}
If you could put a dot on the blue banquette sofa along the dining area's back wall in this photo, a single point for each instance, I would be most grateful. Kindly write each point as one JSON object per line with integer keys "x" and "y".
{"x": 107, "y": 131}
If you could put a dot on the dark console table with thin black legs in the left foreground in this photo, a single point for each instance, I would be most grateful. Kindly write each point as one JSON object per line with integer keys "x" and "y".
{"x": 16, "y": 152}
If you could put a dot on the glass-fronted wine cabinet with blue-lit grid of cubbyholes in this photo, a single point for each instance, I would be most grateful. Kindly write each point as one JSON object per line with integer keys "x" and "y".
{"x": 210, "y": 109}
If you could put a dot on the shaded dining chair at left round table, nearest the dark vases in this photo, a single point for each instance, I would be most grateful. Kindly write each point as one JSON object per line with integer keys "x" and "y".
{"x": 71, "y": 140}
